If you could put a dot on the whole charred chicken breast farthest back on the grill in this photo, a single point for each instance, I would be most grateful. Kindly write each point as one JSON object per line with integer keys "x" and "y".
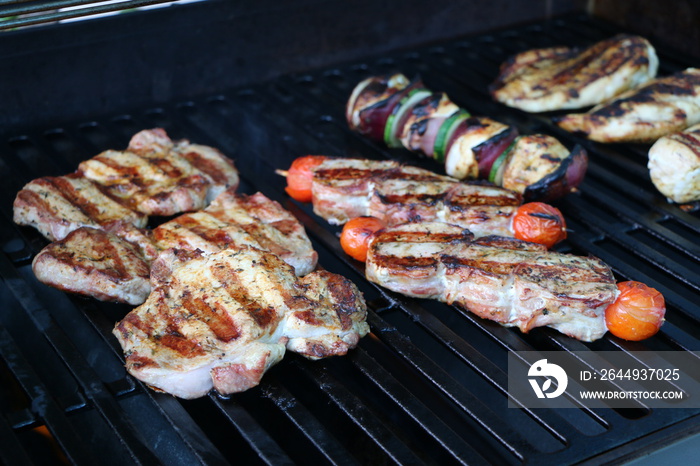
{"x": 568, "y": 78}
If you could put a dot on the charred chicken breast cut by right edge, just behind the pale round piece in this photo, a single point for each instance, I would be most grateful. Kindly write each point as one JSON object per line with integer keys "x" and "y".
{"x": 659, "y": 107}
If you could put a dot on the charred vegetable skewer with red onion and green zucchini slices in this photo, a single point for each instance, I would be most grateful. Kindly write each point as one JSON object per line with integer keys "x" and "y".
{"x": 399, "y": 112}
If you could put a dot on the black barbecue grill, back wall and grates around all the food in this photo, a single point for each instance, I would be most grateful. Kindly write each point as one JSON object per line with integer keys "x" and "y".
{"x": 429, "y": 384}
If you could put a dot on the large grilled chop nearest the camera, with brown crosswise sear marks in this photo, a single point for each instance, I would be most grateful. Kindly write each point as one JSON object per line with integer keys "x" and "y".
{"x": 222, "y": 320}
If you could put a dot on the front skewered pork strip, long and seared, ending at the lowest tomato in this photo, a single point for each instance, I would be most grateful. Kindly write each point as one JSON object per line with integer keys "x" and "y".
{"x": 512, "y": 282}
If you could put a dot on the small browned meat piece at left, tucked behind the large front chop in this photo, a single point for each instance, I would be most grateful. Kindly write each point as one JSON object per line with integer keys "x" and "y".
{"x": 94, "y": 263}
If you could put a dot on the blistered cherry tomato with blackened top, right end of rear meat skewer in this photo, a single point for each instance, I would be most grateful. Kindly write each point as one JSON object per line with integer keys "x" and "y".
{"x": 538, "y": 222}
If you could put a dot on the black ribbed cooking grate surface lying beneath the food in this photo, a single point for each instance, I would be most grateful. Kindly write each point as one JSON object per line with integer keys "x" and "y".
{"x": 430, "y": 382}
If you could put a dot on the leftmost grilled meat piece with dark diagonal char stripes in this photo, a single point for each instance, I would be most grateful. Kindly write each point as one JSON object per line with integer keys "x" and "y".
{"x": 58, "y": 205}
